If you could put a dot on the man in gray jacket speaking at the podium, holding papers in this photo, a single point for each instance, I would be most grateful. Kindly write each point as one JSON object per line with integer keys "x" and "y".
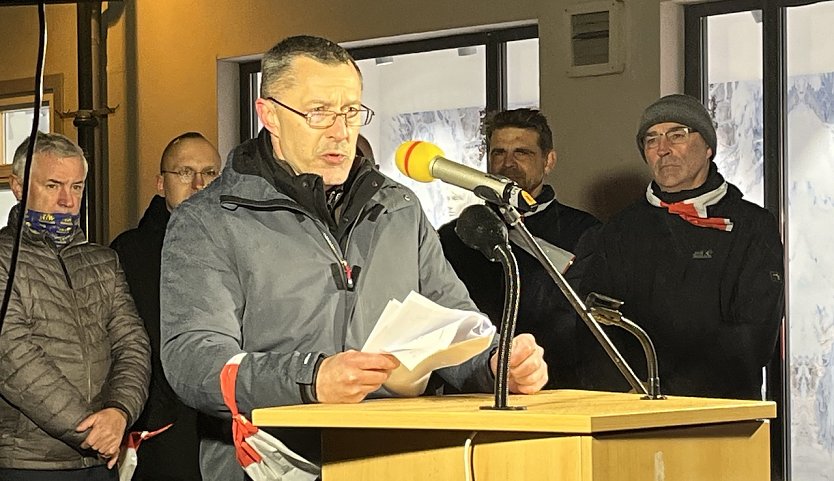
{"x": 292, "y": 254}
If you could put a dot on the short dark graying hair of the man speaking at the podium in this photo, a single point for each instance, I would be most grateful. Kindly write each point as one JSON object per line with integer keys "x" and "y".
{"x": 275, "y": 64}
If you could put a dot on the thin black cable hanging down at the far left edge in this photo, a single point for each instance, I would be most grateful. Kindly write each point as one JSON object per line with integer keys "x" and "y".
{"x": 28, "y": 164}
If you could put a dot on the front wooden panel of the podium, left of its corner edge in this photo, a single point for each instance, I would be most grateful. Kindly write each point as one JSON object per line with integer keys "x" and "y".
{"x": 373, "y": 455}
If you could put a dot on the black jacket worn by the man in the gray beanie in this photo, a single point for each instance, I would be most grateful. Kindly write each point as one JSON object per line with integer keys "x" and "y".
{"x": 711, "y": 300}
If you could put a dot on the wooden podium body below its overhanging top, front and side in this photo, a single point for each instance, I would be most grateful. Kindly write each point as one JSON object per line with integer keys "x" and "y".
{"x": 719, "y": 452}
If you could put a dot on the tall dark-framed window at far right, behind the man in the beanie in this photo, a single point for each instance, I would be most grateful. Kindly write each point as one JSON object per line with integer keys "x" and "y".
{"x": 766, "y": 71}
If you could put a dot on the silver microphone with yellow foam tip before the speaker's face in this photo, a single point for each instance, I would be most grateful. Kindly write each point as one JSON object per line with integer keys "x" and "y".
{"x": 424, "y": 162}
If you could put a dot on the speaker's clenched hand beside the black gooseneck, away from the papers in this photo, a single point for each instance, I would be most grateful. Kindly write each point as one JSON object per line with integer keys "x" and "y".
{"x": 528, "y": 371}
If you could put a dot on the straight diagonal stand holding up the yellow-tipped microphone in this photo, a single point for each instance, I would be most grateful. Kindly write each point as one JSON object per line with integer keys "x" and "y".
{"x": 513, "y": 219}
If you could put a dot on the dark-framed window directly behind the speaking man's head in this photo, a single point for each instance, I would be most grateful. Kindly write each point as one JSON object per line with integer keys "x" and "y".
{"x": 437, "y": 90}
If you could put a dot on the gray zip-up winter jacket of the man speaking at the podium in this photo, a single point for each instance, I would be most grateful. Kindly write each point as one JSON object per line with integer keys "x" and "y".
{"x": 255, "y": 263}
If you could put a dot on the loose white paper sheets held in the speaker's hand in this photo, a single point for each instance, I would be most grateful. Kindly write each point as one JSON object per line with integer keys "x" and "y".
{"x": 425, "y": 336}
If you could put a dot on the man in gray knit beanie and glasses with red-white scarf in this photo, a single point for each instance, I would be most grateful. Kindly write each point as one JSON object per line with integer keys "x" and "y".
{"x": 699, "y": 268}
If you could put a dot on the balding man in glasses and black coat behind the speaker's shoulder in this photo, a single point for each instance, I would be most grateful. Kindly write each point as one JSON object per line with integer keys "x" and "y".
{"x": 189, "y": 163}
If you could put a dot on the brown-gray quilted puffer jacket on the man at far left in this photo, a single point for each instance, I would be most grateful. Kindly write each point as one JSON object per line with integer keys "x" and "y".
{"x": 71, "y": 344}
